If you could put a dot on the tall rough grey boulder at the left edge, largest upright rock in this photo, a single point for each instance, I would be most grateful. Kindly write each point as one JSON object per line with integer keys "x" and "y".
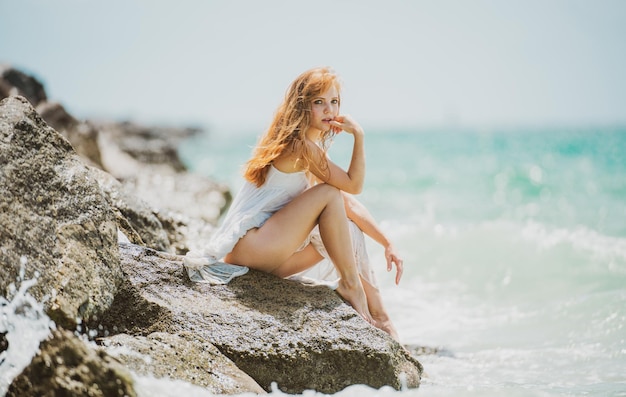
{"x": 55, "y": 218}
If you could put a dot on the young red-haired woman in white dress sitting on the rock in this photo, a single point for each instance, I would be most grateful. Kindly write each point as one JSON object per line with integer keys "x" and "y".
{"x": 270, "y": 223}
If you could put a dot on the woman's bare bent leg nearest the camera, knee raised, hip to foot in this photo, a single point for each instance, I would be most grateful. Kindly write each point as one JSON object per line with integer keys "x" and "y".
{"x": 269, "y": 247}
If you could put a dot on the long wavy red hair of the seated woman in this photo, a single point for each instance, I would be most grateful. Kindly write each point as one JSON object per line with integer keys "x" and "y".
{"x": 290, "y": 124}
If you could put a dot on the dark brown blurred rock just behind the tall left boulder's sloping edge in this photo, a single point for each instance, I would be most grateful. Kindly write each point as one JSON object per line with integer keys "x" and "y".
{"x": 82, "y": 135}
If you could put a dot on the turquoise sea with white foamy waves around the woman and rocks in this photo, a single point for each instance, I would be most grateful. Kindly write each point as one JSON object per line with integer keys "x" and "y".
{"x": 514, "y": 245}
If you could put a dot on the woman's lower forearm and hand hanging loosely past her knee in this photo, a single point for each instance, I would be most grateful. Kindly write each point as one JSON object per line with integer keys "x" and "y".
{"x": 358, "y": 214}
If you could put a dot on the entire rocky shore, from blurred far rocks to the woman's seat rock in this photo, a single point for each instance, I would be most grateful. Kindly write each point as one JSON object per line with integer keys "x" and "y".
{"x": 99, "y": 213}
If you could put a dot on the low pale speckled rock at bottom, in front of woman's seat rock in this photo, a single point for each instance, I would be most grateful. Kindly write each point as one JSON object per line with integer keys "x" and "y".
{"x": 183, "y": 357}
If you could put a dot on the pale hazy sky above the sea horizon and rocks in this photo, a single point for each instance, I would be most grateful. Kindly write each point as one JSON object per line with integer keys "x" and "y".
{"x": 403, "y": 63}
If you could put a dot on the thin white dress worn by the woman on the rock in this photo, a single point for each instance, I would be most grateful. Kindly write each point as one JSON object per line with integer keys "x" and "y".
{"x": 253, "y": 206}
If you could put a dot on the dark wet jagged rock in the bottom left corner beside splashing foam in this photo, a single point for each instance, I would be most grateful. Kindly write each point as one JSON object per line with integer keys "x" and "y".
{"x": 66, "y": 366}
